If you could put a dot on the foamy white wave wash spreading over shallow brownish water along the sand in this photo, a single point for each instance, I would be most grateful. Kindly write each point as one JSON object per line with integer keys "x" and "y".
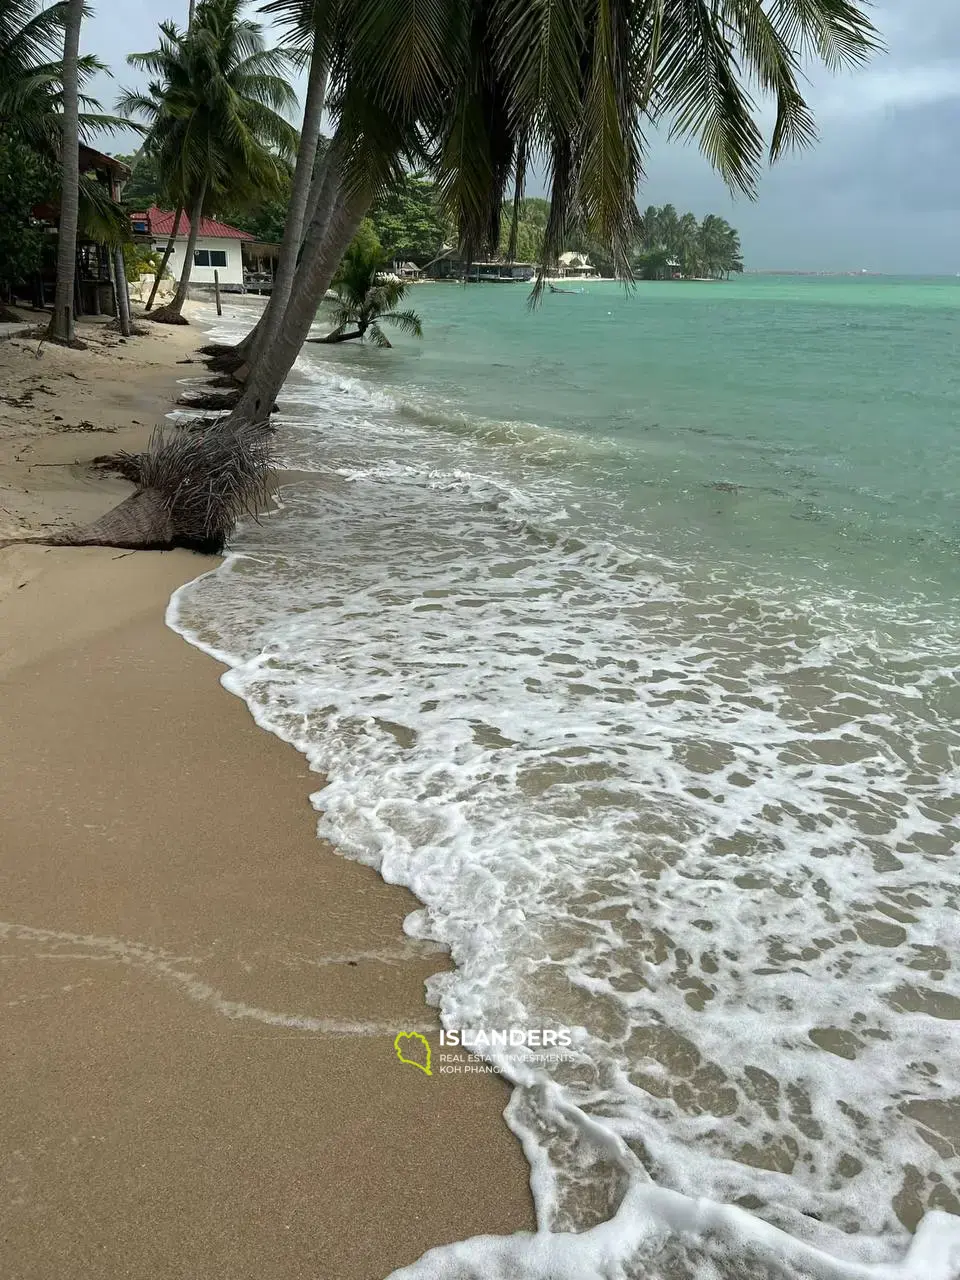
{"x": 708, "y": 821}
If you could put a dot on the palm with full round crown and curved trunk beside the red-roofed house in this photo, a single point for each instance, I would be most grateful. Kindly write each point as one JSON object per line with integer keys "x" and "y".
{"x": 214, "y": 111}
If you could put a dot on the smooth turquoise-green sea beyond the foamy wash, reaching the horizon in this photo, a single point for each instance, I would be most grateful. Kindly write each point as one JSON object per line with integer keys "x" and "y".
{"x": 831, "y": 405}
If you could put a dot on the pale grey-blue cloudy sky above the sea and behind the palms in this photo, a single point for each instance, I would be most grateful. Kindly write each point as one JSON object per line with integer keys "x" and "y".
{"x": 881, "y": 191}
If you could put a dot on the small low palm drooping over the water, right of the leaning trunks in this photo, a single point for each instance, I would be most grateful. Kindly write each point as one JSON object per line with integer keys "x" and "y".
{"x": 367, "y": 299}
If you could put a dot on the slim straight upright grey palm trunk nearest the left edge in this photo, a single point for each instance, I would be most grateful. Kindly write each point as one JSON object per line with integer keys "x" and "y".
{"x": 62, "y": 328}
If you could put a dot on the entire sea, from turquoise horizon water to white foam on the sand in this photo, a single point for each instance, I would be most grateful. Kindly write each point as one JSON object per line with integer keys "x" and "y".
{"x": 625, "y": 634}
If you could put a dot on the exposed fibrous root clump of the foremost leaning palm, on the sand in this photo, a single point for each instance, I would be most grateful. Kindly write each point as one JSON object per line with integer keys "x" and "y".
{"x": 193, "y": 488}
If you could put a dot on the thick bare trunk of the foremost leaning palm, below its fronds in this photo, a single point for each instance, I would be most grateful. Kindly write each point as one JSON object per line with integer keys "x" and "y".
{"x": 318, "y": 267}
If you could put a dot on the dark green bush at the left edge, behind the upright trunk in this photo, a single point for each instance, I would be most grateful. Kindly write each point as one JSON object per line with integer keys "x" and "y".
{"x": 26, "y": 180}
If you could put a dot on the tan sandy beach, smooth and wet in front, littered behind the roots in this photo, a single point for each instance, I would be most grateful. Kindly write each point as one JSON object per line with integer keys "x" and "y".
{"x": 199, "y": 998}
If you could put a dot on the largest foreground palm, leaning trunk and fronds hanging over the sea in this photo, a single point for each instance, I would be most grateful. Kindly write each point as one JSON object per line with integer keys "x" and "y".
{"x": 500, "y": 86}
